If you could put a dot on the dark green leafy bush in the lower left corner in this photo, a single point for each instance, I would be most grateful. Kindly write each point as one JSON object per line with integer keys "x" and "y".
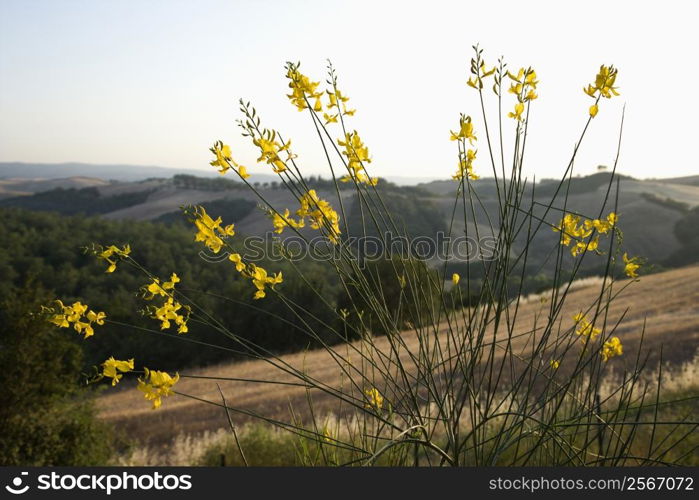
{"x": 46, "y": 419}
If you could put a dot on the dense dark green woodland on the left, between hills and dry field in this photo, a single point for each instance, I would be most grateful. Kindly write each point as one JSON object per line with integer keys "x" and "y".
{"x": 48, "y": 246}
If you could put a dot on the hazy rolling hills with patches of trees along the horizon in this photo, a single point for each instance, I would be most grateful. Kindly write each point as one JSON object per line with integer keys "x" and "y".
{"x": 649, "y": 210}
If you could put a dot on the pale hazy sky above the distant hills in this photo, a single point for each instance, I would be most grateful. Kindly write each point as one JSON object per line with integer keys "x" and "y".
{"x": 156, "y": 82}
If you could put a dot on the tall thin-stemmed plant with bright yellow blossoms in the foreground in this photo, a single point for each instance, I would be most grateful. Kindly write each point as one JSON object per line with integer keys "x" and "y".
{"x": 443, "y": 372}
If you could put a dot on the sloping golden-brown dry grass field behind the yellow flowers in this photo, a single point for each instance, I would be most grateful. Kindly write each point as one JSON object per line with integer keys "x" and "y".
{"x": 668, "y": 302}
